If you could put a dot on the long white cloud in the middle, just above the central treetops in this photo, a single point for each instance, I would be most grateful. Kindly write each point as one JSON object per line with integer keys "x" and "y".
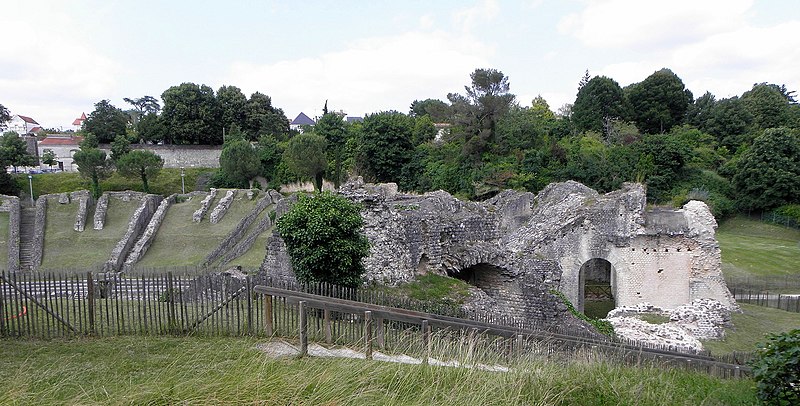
{"x": 369, "y": 75}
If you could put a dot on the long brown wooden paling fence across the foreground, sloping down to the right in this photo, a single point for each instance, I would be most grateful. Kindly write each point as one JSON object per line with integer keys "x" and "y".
{"x": 47, "y": 305}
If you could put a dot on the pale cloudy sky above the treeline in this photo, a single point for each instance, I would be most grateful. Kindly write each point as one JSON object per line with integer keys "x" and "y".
{"x": 59, "y": 58}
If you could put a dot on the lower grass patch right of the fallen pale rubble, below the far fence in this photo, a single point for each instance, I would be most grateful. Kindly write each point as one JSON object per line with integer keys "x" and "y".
{"x": 751, "y": 327}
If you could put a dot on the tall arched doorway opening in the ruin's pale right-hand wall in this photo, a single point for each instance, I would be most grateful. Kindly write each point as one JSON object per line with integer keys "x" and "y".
{"x": 597, "y": 282}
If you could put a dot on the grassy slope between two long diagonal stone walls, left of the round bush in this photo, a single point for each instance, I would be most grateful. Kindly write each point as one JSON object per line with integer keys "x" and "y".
{"x": 182, "y": 242}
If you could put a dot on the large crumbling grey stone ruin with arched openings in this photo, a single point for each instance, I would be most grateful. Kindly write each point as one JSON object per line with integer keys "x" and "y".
{"x": 516, "y": 247}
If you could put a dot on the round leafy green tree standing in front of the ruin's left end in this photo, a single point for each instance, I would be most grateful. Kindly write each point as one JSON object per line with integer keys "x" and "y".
{"x": 324, "y": 240}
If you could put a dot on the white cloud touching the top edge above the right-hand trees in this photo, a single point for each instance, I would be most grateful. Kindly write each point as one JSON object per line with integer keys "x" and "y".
{"x": 646, "y": 25}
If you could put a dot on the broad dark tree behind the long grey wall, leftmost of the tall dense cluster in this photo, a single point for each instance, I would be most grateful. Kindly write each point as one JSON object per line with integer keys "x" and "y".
{"x": 191, "y": 115}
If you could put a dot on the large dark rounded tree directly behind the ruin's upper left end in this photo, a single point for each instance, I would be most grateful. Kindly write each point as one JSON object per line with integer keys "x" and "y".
{"x": 385, "y": 145}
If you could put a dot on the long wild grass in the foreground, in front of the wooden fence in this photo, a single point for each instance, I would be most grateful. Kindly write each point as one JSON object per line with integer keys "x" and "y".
{"x": 194, "y": 370}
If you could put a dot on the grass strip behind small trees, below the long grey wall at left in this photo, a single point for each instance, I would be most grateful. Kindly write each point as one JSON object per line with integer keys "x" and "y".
{"x": 166, "y": 183}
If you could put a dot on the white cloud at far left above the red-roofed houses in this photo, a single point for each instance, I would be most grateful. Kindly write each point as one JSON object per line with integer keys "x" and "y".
{"x": 50, "y": 72}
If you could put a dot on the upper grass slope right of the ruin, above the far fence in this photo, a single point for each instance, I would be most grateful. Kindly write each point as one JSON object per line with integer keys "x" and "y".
{"x": 751, "y": 248}
